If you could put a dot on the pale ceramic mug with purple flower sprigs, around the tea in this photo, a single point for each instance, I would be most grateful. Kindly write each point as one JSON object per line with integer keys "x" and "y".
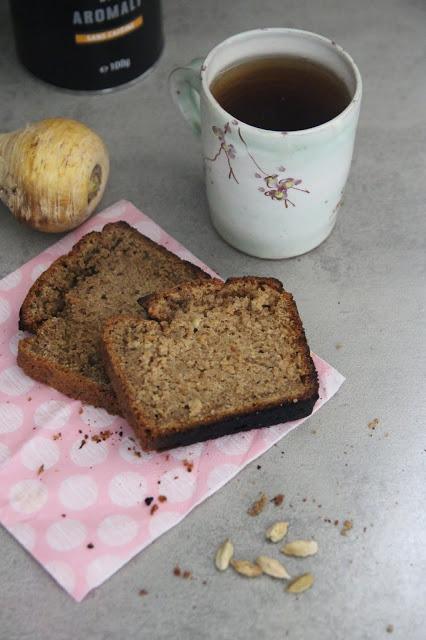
{"x": 271, "y": 194}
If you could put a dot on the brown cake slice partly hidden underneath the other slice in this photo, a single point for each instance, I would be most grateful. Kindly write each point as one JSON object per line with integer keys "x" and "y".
{"x": 104, "y": 274}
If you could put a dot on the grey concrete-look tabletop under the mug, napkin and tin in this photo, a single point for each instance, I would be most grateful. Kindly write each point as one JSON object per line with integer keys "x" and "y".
{"x": 363, "y": 288}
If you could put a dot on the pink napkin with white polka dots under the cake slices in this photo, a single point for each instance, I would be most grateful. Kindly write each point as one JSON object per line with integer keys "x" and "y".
{"x": 75, "y": 489}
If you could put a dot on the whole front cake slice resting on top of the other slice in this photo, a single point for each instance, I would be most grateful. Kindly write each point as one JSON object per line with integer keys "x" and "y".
{"x": 212, "y": 359}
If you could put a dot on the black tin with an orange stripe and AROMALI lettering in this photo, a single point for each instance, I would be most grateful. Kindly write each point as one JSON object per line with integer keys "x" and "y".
{"x": 90, "y": 45}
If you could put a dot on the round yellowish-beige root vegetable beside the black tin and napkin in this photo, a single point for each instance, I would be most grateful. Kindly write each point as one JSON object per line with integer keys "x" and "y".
{"x": 53, "y": 173}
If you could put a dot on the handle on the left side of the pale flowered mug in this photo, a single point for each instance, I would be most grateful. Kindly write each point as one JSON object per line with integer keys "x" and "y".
{"x": 185, "y": 87}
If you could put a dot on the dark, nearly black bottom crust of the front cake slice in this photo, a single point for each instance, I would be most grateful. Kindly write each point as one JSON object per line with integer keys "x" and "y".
{"x": 262, "y": 418}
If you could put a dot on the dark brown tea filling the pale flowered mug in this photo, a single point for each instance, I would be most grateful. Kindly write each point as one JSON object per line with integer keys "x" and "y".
{"x": 281, "y": 93}
